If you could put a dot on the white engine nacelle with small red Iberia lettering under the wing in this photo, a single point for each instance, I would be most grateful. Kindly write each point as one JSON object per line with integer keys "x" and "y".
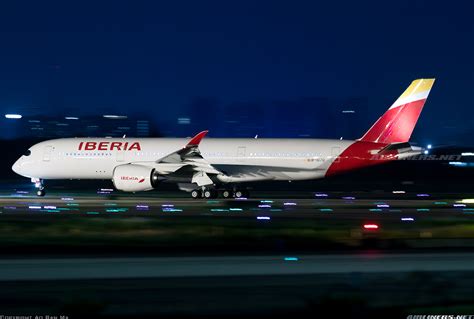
{"x": 134, "y": 178}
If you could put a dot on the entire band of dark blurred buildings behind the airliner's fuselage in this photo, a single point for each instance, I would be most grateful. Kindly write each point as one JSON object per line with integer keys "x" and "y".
{"x": 312, "y": 117}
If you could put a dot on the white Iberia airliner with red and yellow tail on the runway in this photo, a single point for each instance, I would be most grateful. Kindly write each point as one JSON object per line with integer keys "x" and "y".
{"x": 209, "y": 167}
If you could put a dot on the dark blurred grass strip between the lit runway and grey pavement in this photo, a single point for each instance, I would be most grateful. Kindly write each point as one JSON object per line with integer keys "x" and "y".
{"x": 220, "y": 232}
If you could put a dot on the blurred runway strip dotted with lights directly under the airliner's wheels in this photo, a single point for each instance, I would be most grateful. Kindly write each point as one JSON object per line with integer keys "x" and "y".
{"x": 339, "y": 205}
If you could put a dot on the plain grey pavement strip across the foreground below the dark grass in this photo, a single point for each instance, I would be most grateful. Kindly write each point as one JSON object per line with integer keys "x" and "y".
{"x": 171, "y": 267}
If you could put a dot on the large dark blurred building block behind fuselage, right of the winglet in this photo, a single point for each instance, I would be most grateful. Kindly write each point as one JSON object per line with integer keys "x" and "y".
{"x": 314, "y": 117}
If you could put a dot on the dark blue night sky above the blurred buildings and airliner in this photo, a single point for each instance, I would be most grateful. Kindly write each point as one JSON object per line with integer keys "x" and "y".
{"x": 156, "y": 56}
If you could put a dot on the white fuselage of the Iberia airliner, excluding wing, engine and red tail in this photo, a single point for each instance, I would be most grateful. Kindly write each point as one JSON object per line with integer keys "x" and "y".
{"x": 241, "y": 159}
